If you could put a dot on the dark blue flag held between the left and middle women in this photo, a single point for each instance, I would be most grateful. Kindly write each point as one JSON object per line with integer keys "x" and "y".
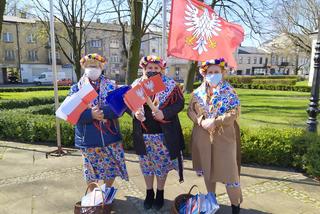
{"x": 115, "y": 100}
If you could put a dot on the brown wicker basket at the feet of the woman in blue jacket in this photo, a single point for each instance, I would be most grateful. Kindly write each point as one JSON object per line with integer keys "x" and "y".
{"x": 99, "y": 209}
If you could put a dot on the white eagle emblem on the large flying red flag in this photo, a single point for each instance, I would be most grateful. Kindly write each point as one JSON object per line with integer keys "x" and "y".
{"x": 203, "y": 27}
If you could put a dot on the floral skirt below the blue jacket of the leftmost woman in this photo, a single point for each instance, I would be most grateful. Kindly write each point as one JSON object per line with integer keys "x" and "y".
{"x": 104, "y": 163}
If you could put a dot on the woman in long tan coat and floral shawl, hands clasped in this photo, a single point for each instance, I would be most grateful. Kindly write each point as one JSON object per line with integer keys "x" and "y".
{"x": 214, "y": 108}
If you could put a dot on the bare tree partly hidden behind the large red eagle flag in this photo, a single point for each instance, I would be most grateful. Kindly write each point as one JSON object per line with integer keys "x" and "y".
{"x": 249, "y": 13}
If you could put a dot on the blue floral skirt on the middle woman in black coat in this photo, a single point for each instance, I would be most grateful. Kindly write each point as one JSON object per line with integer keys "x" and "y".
{"x": 157, "y": 160}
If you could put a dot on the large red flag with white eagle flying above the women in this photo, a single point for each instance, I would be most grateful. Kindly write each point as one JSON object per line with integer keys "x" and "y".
{"x": 198, "y": 33}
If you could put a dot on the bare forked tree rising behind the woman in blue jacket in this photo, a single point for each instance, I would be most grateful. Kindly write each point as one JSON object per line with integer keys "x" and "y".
{"x": 73, "y": 17}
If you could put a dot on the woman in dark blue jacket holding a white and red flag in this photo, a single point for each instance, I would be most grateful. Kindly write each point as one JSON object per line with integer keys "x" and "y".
{"x": 97, "y": 132}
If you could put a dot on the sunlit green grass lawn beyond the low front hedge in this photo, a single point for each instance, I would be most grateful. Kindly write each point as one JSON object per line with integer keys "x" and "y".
{"x": 258, "y": 107}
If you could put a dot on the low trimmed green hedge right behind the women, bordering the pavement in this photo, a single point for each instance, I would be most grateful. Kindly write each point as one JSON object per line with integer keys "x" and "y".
{"x": 286, "y": 147}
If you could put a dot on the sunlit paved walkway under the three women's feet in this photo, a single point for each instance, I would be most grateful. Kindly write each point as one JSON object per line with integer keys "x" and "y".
{"x": 30, "y": 183}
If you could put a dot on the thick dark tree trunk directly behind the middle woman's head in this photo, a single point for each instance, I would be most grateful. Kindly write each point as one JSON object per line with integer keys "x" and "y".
{"x": 135, "y": 40}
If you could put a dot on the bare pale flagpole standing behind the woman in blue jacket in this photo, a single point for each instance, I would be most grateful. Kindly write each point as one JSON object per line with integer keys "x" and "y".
{"x": 59, "y": 151}
